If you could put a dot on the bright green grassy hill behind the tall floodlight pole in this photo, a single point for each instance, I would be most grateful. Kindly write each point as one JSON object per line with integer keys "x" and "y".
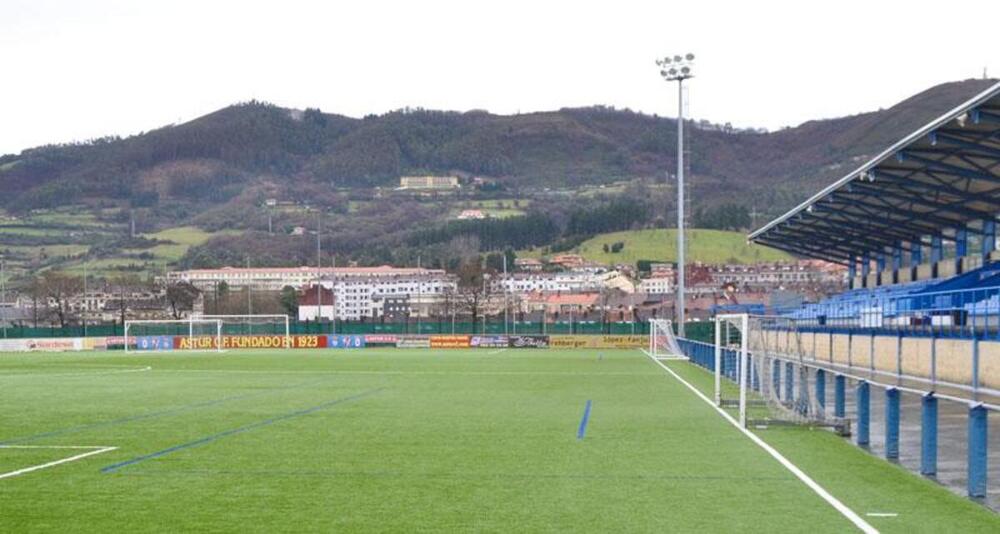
{"x": 707, "y": 246}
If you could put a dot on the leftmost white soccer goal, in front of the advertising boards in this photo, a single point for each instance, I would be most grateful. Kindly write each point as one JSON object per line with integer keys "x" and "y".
{"x": 156, "y": 335}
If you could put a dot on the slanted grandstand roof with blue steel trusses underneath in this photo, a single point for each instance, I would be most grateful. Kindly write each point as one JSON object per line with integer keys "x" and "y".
{"x": 940, "y": 177}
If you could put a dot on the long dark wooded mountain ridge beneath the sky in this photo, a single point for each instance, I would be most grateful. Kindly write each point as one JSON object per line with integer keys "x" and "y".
{"x": 248, "y": 175}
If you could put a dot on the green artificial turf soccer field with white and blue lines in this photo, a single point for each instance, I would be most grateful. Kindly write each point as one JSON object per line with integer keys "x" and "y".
{"x": 415, "y": 439}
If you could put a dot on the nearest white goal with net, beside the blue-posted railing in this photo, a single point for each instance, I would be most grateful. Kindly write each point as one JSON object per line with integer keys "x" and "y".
{"x": 761, "y": 373}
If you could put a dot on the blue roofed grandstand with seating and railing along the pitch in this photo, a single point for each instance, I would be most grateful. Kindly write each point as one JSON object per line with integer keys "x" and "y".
{"x": 916, "y": 228}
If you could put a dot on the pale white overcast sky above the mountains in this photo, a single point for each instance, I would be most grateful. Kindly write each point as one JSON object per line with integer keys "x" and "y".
{"x": 74, "y": 70}
